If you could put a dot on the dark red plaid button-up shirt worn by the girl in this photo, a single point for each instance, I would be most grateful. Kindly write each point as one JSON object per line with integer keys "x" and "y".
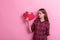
{"x": 40, "y": 29}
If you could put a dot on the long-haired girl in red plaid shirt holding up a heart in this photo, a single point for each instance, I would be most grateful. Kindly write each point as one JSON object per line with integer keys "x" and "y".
{"x": 40, "y": 26}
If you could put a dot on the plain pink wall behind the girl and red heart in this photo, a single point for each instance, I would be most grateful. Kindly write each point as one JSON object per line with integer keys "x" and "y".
{"x": 13, "y": 28}
